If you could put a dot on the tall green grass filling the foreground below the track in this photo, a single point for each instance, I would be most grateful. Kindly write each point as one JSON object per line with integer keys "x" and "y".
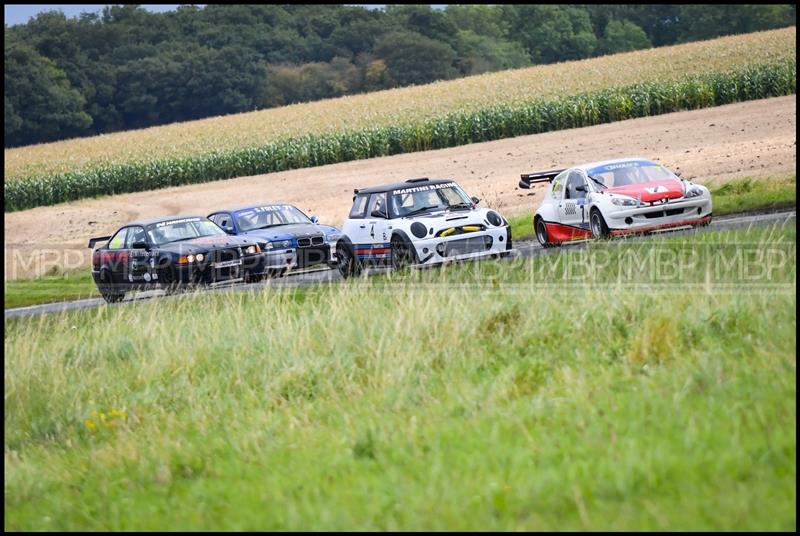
{"x": 390, "y": 404}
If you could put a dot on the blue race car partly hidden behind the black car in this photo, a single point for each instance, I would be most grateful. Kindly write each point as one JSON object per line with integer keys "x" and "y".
{"x": 282, "y": 229}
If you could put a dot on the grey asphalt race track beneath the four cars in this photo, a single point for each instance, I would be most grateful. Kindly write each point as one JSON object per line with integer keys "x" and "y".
{"x": 525, "y": 249}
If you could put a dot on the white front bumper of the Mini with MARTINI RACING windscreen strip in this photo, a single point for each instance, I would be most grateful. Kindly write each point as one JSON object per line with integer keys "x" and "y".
{"x": 492, "y": 241}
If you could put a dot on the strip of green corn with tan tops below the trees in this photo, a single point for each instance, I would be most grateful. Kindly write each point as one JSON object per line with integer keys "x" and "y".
{"x": 30, "y": 182}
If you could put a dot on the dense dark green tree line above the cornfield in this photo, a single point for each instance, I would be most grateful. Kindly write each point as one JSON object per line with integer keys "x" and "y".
{"x": 130, "y": 68}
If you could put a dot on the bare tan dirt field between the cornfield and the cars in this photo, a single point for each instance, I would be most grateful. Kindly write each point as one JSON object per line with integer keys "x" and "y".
{"x": 755, "y": 138}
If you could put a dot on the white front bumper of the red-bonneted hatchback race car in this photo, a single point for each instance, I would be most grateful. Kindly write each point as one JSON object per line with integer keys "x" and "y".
{"x": 653, "y": 217}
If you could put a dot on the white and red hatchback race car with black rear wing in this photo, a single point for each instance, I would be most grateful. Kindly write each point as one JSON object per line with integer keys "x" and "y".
{"x": 615, "y": 197}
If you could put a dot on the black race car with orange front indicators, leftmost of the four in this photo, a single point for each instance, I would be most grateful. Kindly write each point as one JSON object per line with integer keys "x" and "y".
{"x": 167, "y": 253}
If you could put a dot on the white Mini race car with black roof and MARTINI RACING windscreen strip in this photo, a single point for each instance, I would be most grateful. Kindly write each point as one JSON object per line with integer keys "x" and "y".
{"x": 418, "y": 222}
